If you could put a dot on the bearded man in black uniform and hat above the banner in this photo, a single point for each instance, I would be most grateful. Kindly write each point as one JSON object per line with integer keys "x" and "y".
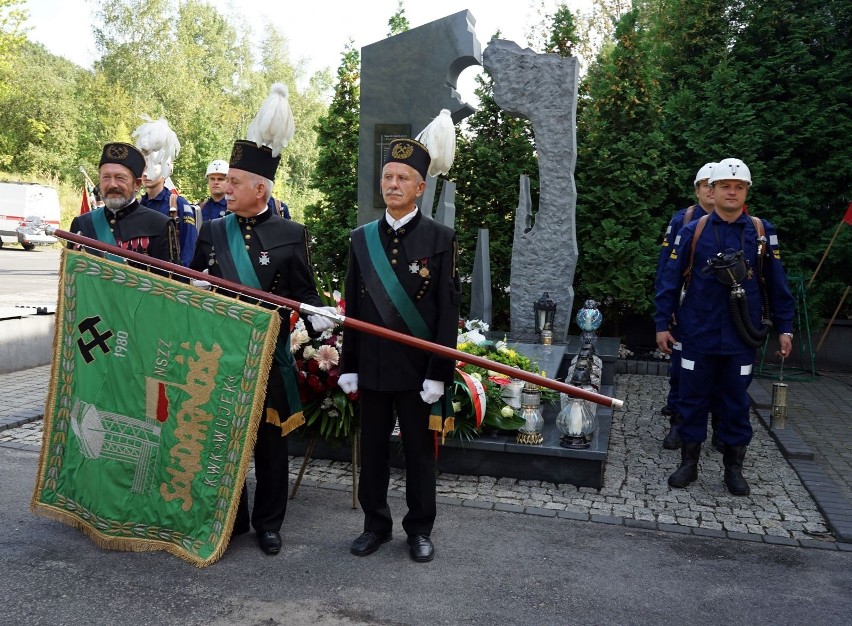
{"x": 122, "y": 221}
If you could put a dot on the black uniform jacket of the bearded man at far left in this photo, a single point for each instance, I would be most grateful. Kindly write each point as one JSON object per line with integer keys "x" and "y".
{"x": 136, "y": 228}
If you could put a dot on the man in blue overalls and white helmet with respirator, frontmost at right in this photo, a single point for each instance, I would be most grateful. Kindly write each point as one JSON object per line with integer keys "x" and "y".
{"x": 732, "y": 257}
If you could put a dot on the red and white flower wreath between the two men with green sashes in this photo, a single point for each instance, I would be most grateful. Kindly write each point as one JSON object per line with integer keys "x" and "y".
{"x": 329, "y": 413}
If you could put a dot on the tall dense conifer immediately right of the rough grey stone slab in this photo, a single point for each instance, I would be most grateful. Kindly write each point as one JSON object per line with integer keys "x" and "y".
{"x": 621, "y": 177}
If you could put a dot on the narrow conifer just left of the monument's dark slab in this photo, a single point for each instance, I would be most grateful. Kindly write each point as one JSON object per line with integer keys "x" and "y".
{"x": 335, "y": 176}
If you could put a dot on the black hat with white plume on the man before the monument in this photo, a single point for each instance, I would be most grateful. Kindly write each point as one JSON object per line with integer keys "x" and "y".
{"x": 432, "y": 152}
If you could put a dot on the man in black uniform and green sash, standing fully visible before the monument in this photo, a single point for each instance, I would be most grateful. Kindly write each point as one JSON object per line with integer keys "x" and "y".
{"x": 403, "y": 275}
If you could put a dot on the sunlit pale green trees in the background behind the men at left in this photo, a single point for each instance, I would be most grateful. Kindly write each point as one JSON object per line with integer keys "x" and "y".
{"x": 203, "y": 71}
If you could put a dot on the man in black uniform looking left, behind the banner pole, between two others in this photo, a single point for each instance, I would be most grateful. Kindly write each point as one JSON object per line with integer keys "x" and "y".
{"x": 258, "y": 249}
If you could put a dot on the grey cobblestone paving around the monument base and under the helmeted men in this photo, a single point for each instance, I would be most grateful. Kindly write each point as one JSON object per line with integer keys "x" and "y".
{"x": 635, "y": 492}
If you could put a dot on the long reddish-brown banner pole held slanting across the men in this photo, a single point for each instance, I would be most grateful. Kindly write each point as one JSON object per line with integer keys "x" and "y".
{"x": 347, "y": 322}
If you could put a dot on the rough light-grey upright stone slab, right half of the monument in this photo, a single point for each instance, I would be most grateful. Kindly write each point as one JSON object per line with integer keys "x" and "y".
{"x": 542, "y": 88}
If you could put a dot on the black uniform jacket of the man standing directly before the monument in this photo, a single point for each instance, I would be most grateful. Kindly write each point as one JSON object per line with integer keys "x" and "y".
{"x": 423, "y": 254}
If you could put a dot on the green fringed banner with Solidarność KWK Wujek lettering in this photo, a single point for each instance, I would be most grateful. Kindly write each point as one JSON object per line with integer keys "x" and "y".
{"x": 156, "y": 392}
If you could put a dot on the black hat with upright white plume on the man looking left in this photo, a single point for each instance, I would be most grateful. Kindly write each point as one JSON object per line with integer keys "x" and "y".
{"x": 270, "y": 131}
